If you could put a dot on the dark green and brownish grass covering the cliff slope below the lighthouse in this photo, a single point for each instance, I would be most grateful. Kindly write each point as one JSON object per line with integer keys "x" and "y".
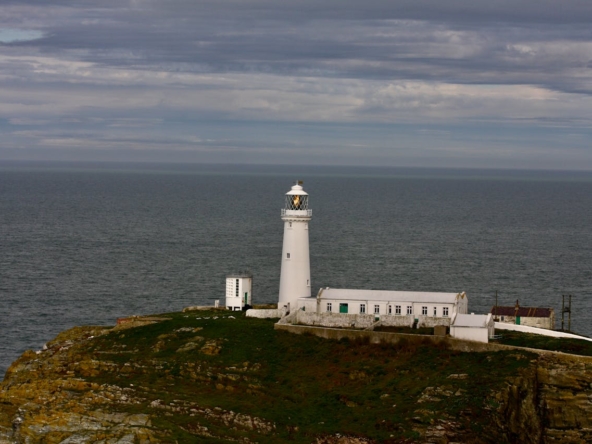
{"x": 322, "y": 387}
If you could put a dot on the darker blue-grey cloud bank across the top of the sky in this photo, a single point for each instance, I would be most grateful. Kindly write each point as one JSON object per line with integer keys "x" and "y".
{"x": 444, "y": 41}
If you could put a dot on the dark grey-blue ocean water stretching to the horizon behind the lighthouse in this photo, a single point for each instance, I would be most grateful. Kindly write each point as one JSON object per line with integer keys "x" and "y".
{"x": 84, "y": 244}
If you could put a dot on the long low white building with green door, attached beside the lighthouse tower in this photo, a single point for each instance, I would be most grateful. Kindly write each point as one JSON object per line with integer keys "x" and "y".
{"x": 392, "y": 308}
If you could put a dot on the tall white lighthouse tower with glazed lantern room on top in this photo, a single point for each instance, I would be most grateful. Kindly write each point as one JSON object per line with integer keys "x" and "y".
{"x": 295, "y": 274}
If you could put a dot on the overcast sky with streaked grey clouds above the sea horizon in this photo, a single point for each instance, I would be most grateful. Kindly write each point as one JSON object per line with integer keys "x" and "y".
{"x": 405, "y": 83}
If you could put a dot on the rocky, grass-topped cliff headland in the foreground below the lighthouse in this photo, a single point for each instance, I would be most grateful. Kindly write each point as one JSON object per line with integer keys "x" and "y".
{"x": 216, "y": 377}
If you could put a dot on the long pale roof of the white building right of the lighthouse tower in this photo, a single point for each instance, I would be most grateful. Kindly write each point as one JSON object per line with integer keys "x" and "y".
{"x": 390, "y": 296}
